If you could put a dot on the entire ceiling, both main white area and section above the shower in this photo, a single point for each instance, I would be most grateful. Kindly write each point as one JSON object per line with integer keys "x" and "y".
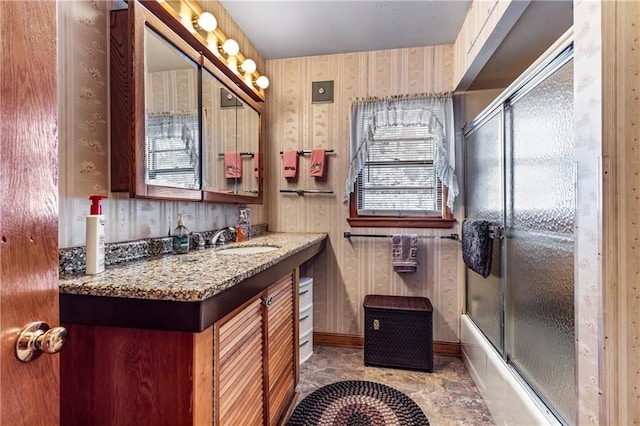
{"x": 284, "y": 29}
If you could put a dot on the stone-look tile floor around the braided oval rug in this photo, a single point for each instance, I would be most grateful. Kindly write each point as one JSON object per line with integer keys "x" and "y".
{"x": 447, "y": 396}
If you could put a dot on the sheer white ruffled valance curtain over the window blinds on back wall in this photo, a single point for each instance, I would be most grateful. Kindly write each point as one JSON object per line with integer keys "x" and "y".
{"x": 434, "y": 112}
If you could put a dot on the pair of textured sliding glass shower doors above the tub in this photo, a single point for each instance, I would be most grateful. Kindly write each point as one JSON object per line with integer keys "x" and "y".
{"x": 519, "y": 173}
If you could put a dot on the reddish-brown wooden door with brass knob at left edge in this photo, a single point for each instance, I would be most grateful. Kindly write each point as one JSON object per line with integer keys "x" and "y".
{"x": 29, "y": 392}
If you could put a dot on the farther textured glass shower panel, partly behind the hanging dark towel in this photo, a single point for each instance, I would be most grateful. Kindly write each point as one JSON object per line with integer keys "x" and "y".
{"x": 483, "y": 188}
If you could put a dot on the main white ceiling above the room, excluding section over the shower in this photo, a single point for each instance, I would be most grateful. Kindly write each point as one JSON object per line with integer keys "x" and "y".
{"x": 287, "y": 29}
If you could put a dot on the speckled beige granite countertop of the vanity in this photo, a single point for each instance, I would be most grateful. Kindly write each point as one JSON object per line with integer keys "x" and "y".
{"x": 191, "y": 277}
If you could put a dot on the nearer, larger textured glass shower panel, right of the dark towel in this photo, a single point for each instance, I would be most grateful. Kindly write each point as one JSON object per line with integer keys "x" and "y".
{"x": 539, "y": 318}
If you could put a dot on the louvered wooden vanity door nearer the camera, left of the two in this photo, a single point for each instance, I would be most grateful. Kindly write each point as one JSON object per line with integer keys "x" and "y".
{"x": 238, "y": 376}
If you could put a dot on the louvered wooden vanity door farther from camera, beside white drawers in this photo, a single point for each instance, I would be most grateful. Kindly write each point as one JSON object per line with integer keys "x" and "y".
{"x": 281, "y": 345}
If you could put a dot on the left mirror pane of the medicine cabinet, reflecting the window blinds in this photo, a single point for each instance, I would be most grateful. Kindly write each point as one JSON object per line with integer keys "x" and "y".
{"x": 172, "y": 148}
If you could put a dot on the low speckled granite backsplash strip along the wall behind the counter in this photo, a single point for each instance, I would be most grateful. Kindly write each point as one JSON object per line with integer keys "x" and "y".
{"x": 73, "y": 259}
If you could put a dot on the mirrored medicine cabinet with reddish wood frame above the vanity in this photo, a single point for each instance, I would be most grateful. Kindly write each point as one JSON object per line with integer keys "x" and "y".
{"x": 176, "y": 118}
